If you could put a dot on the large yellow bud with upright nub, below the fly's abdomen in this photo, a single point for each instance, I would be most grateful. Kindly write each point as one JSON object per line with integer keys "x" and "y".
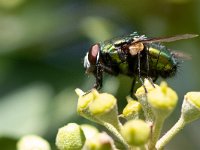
{"x": 163, "y": 98}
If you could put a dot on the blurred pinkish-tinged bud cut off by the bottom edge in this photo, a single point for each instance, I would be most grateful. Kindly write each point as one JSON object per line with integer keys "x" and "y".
{"x": 101, "y": 141}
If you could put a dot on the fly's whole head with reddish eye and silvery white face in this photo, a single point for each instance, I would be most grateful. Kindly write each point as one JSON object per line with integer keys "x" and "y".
{"x": 91, "y": 58}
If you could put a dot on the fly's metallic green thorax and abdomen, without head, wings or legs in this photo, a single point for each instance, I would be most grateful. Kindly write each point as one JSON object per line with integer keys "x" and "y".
{"x": 160, "y": 60}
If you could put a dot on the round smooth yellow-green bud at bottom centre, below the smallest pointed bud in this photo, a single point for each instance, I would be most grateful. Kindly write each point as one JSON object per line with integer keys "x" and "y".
{"x": 136, "y": 132}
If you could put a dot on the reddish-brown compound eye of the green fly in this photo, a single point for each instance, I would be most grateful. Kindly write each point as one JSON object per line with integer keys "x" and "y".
{"x": 93, "y": 54}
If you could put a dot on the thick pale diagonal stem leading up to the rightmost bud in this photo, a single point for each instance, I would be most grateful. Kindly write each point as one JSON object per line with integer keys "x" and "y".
{"x": 171, "y": 133}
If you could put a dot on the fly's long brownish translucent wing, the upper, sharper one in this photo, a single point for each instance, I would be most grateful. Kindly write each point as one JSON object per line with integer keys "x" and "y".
{"x": 167, "y": 39}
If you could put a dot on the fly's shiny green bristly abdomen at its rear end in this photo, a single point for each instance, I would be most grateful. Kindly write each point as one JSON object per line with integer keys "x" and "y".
{"x": 162, "y": 60}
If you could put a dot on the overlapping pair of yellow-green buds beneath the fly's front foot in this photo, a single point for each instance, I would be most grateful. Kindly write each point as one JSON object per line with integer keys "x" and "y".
{"x": 99, "y": 107}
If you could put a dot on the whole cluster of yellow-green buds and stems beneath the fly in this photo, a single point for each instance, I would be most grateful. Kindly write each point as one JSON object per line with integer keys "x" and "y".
{"x": 142, "y": 122}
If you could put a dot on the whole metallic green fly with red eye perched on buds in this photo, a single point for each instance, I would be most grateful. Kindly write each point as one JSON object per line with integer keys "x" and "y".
{"x": 133, "y": 55}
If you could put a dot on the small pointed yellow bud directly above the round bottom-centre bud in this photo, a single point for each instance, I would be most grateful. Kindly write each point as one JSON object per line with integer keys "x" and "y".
{"x": 133, "y": 109}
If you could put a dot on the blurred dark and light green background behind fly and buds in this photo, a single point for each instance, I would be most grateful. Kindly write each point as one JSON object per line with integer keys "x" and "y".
{"x": 42, "y": 46}
